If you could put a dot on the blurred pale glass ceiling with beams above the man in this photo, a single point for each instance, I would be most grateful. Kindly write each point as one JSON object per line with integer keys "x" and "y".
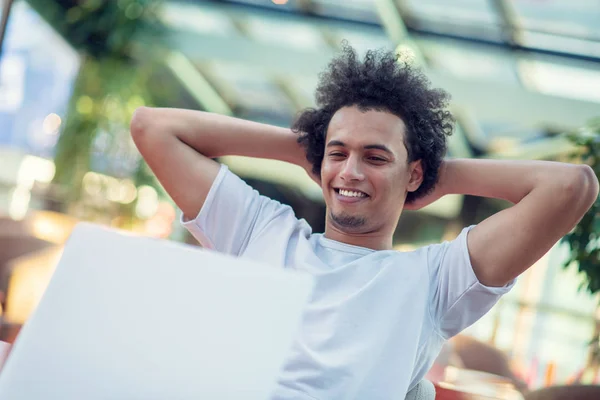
{"x": 519, "y": 71}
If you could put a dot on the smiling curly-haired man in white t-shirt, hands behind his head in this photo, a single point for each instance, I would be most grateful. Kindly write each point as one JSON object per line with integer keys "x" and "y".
{"x": 375, "y": 143}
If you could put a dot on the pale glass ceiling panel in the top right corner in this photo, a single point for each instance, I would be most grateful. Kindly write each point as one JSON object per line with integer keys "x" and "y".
{"x": 578, "y": 18}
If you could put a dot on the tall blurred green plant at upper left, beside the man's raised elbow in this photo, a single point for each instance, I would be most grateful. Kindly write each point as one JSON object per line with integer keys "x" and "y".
{"x": 115, "y": 77}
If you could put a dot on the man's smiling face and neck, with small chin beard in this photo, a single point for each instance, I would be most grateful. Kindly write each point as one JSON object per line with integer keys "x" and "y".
{"x": 365, "y": 176}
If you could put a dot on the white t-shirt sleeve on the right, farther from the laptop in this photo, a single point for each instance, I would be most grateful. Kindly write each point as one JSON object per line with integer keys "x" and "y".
{"x": 457, "y": 298}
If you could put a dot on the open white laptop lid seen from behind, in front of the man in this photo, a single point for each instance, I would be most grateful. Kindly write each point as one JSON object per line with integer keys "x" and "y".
{"x": 129, "y": 317}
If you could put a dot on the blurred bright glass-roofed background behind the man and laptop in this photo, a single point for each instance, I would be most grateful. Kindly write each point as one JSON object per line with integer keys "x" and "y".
{"x": 524, "y": 76}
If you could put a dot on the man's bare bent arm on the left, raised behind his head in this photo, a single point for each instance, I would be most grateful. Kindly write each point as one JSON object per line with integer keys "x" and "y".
{"x": 179, "y": 145}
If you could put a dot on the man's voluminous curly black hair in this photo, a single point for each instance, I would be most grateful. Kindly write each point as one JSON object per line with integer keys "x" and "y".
{"x": 384, "y": 83}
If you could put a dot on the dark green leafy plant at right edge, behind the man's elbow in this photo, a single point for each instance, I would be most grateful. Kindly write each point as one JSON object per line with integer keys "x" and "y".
{"x": 584, "y": 239}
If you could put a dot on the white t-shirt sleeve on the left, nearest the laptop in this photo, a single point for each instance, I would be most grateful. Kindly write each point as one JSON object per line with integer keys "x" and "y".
{"x": 232, "y": 213}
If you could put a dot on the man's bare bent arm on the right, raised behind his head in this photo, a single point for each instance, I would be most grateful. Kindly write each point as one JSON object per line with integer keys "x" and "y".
{"x": 549, "y": 199}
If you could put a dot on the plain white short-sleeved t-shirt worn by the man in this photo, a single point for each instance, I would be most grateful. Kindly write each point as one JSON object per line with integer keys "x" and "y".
{"x": 376, "y": 319}
